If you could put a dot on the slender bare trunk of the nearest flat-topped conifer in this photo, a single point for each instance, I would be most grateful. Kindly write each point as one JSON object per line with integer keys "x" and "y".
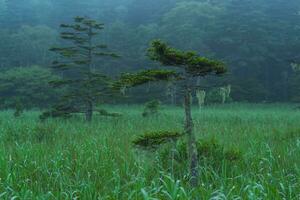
{"x": 191, "y": 139}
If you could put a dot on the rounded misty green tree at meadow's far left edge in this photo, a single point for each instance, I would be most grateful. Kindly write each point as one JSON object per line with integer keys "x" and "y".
{"x": 26, "y": 86}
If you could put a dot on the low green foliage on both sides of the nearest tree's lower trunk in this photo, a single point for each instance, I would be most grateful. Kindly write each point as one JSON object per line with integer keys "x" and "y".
{"x": 172, "y": 151}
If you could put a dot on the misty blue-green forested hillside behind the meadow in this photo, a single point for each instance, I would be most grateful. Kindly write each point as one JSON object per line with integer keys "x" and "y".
{"x": 257, "y": 39}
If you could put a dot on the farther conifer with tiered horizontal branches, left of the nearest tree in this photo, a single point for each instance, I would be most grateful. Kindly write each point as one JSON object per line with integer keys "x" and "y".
{"x": 83, "y": 84}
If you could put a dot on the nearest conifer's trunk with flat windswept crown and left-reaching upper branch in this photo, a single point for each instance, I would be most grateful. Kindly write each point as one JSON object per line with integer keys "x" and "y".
{"x": 189, "y": 66}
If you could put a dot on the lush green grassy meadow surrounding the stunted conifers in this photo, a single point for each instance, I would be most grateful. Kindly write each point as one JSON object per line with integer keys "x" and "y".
{"x": 71, "y": 159}
